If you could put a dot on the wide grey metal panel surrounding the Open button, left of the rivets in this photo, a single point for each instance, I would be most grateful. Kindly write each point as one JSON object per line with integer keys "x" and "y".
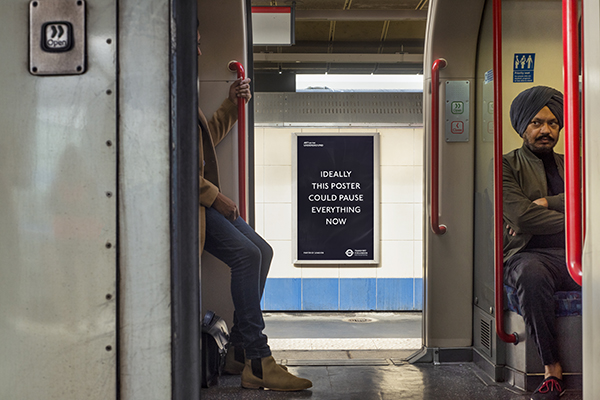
{"x": 58, "y": 215}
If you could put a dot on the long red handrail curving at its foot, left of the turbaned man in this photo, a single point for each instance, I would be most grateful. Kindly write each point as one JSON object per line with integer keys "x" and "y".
{"x": 498, "y": 206}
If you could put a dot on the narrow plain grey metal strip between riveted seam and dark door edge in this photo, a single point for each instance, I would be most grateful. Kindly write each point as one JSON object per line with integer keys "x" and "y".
{"x": 144, "y": 200}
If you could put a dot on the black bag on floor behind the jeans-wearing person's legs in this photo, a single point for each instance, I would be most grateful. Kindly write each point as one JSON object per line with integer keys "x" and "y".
{"x": 215, "y": 342}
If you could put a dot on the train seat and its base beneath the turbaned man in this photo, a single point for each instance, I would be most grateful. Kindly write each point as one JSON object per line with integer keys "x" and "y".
{"x": 524, "y": 367}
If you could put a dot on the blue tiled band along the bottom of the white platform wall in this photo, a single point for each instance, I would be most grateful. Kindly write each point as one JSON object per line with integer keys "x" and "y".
{"x": 348, "y": 294}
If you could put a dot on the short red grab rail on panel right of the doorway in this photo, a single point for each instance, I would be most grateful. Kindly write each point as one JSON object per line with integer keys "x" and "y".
{"x": 435, "y": 146}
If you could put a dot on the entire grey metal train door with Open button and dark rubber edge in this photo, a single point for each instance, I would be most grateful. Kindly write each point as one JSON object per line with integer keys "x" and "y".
{"x": 99, "y": 290}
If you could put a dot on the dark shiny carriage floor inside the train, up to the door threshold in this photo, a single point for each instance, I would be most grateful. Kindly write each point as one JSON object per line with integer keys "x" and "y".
{"x": 376, "y": 378}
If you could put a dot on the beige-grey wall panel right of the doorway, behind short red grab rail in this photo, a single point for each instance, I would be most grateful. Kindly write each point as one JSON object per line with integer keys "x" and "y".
{"x": 452, "y": 32}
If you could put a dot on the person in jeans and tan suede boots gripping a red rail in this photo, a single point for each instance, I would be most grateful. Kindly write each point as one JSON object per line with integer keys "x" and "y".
{"x": 230, "y": 239}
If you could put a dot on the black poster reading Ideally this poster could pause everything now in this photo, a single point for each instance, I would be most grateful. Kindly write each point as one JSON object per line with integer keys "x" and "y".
{"x": 335, "y": 178}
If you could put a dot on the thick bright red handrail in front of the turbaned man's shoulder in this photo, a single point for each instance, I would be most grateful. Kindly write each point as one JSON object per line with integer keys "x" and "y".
{"x": 573, "y": 213}
